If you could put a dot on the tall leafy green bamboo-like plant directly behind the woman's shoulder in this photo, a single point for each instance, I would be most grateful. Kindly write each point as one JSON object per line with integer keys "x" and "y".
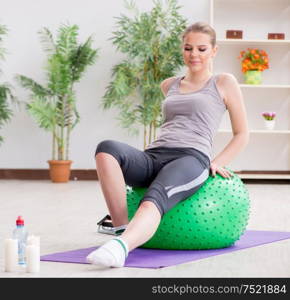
{"x": 152, "y": 43}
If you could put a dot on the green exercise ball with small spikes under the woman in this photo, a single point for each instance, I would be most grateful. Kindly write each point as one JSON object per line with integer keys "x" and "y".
{"x": 214, "y": 217}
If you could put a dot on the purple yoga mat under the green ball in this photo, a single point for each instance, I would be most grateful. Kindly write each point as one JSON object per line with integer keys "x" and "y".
{"x": 155, "y": 258}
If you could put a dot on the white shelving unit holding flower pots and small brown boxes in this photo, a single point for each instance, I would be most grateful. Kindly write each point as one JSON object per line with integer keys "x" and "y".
{"x": 257, "y": 18}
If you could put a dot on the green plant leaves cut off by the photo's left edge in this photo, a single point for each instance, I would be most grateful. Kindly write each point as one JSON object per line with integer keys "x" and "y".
{"x": 6, "y": 95}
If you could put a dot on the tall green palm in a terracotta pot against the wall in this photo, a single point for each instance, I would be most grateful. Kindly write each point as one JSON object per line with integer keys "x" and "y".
{"x": 54, "y": 105}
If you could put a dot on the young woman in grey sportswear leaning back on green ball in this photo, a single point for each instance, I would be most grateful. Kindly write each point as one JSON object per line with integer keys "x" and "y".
{"x": 175, "y": 165}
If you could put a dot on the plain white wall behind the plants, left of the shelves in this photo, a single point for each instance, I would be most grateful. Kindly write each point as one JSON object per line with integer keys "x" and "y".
{"x": 27, "y": 146}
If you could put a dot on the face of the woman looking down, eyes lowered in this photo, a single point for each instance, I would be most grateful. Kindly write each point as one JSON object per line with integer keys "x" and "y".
{"x": 197, "y": 51}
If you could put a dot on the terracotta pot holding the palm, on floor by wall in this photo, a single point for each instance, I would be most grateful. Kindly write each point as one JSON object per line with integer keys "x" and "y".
{"x": 59, "y": 170}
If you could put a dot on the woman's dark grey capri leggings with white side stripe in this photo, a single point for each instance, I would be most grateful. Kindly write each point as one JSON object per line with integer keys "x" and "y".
{"x": 171, "y": 174}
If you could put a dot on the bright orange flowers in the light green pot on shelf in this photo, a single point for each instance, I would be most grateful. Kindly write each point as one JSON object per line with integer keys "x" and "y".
{"x": 254, "y": 59}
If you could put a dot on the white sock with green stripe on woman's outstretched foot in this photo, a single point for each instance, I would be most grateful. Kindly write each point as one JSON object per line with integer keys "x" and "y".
{"x": 112, "y": 254}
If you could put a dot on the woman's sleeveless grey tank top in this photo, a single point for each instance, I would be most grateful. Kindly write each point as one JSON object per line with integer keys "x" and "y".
{"x": 190, "y": 119}
